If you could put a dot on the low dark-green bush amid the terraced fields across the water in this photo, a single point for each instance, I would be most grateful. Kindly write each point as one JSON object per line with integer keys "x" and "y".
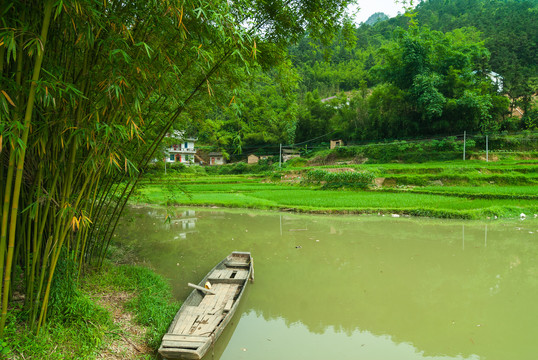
{"x": 350, "y": 179}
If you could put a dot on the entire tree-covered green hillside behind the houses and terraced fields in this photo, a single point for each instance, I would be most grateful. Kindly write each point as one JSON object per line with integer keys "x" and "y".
{"x": 428, "y": 73}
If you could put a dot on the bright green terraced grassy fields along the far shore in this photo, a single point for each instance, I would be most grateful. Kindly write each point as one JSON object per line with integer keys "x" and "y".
{"x": 470, "y": 189}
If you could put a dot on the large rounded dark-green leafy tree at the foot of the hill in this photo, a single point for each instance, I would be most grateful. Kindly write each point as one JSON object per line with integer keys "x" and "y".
{"x": 442, "y": 78}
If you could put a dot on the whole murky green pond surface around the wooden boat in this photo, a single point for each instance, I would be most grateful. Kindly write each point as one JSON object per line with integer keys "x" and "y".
{"x": 339, "y": 287}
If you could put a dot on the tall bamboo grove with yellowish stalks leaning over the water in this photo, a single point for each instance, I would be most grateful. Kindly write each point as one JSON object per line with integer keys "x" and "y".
{"x": 88, "y": 90}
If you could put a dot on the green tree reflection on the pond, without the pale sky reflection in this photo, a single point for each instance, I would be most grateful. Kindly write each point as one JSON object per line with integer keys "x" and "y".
{"x": 422, "y": 281}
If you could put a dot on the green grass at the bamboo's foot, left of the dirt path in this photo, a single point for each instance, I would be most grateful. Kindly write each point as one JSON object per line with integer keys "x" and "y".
{"x": 76, "y": 328}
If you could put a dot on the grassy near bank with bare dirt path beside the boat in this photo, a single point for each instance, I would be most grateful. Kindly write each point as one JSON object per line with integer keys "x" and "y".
{"x": 120, "y": 312}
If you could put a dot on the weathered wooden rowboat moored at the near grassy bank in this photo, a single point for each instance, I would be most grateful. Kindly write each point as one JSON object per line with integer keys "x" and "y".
{"x": 206, "y": 312}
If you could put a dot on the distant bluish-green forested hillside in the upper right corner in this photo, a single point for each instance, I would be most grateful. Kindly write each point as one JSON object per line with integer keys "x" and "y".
{"x": 510, "y": 30}
